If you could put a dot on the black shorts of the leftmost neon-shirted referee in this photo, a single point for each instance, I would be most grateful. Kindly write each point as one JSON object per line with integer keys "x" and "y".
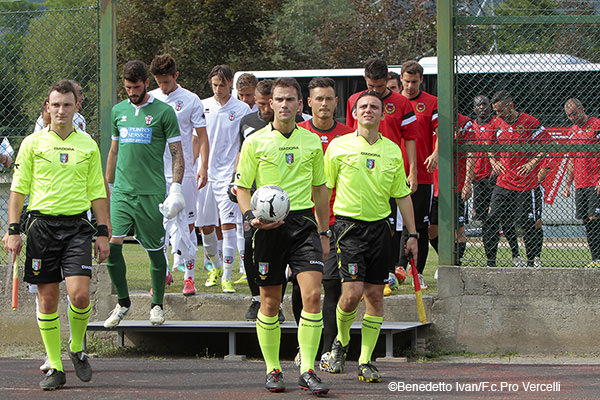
{"x": 58, "y": 247}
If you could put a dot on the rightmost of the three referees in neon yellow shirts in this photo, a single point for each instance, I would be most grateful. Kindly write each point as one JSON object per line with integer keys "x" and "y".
{"x": 366, "y": 170}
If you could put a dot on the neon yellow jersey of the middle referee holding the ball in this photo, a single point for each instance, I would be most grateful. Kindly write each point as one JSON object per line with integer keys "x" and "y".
{"x": 295, "y": 163}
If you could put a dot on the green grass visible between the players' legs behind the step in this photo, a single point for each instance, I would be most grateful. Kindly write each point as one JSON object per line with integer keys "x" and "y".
{"x": 138, "y": 273}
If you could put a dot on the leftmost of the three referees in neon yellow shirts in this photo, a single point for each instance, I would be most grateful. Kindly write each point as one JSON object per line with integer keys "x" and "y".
{"x": 59, "y": 168}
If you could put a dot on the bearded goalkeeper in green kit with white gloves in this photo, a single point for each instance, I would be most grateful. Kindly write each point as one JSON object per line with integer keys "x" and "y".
{"x": 142, "y": 127}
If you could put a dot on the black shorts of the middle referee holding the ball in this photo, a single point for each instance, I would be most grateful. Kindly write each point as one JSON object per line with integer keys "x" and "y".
{"x": 295, "y": 243}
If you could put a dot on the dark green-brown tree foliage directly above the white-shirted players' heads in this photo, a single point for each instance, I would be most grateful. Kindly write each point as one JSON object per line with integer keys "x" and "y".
{"x": 198, "y": 34}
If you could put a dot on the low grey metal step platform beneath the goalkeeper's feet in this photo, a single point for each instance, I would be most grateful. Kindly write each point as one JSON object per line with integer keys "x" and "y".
{"x": 233, "y": 327}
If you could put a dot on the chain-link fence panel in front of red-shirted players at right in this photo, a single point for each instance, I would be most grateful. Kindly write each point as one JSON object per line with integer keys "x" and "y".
{"x": 527, "y": 74}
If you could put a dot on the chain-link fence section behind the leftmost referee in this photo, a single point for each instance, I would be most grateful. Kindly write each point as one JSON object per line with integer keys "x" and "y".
{"x": 38, "y": 47}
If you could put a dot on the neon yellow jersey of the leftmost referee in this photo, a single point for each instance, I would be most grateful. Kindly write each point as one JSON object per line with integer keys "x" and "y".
{"x": 61, "y": 177}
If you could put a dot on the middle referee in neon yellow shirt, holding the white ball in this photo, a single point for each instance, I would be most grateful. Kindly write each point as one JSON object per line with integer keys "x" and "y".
{"x": 285, "y": 155}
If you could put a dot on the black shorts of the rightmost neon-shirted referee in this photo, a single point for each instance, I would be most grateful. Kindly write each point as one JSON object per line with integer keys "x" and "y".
{"x": 364, "y": 250}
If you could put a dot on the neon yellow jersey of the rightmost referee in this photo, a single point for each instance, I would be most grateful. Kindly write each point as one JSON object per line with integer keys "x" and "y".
{"x": 365, "y": 176}
